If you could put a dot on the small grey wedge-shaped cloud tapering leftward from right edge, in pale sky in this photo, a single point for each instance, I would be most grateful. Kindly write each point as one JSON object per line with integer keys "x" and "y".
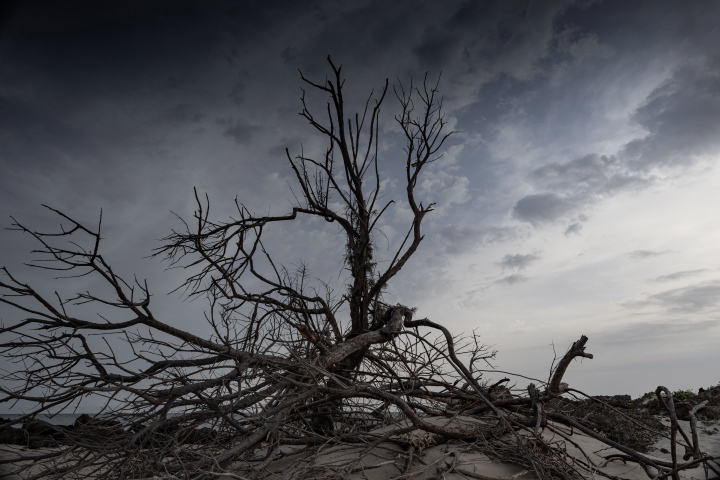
{"x": 697, "y": 298}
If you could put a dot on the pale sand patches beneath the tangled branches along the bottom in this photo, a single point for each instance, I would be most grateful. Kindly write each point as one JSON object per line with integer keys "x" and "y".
{"x": 452, "y": 460}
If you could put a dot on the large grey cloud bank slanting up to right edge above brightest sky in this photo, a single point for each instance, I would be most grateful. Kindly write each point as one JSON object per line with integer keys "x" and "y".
{"x": 682, "y": 118}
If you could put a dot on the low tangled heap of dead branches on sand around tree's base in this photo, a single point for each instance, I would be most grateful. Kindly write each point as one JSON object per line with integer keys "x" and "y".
{"x": 392, "y": 398}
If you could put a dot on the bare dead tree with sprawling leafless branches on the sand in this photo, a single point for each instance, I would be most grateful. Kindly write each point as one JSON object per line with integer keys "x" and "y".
{"x": 288, "y": 363}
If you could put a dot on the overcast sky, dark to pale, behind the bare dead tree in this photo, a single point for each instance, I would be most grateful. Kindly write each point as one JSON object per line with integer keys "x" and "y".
{"x": 579, "y": 196}
